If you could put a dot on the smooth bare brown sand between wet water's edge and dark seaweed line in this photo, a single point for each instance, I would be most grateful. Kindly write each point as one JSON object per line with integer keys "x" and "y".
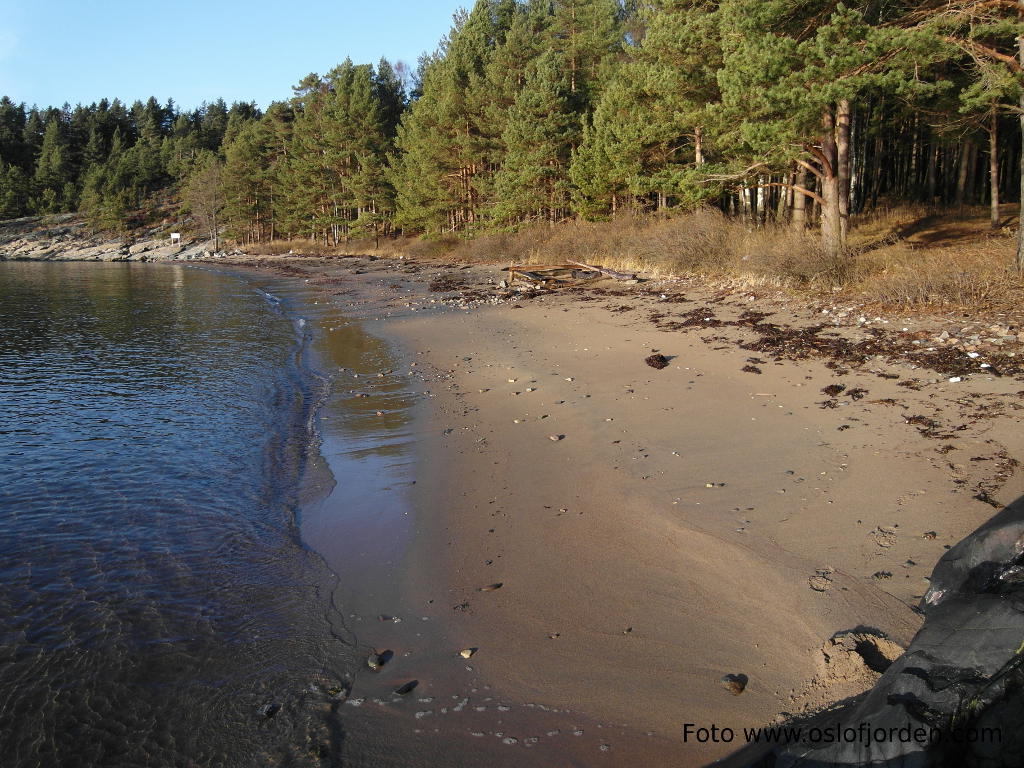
{"x": 883, "y": 484}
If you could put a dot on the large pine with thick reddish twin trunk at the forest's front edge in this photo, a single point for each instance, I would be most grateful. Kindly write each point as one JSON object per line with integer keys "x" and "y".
{"x": 789, "y": 90}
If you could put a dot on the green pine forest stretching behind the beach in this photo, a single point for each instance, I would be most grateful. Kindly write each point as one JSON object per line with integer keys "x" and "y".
{"x": 541, "y": 112}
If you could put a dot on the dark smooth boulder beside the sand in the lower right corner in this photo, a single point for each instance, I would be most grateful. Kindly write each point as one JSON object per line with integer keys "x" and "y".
{"x": 956, "y": 698}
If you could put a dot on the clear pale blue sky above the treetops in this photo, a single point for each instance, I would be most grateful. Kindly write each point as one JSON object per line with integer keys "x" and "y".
{"x": 54, "y": 52}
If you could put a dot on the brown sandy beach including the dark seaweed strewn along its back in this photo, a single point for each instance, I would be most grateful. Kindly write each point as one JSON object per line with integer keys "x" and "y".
{"x": 614, "y": 540}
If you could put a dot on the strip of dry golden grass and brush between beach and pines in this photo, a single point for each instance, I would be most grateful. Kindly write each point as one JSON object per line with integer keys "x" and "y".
{"x": 908, "y": 258}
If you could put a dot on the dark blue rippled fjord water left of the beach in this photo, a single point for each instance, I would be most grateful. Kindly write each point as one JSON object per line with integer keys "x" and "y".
{"x": 157, "y": 605}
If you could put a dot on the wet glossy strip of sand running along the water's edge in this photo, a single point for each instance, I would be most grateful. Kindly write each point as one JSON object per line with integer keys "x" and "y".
{"x": 363, "y": 529}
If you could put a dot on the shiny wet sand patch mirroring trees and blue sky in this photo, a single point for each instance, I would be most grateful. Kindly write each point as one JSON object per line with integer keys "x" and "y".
{"x": 363, "y": 527}
